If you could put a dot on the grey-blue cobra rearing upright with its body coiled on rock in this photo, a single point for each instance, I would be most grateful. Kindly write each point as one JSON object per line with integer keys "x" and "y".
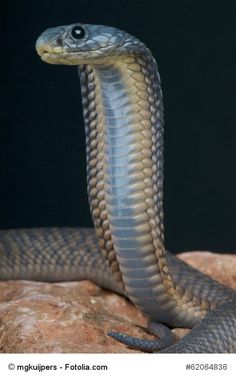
{"x": 125, "y": 251}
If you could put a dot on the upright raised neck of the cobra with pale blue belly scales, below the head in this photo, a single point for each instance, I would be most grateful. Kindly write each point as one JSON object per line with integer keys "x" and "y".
{"x": 123, "y": 115}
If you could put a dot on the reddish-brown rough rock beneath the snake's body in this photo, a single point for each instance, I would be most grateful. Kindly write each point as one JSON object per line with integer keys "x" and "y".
{"x": 75, "y": 317}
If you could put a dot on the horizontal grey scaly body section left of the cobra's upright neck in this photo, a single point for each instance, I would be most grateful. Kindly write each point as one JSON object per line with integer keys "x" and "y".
{"x": 54, "y": 254}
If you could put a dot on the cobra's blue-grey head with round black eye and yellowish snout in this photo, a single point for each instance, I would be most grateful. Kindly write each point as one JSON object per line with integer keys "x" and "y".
{"x": 81, "y": 43}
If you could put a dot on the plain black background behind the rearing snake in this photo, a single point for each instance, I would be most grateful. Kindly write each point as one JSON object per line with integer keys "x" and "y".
{"x": 42, "y": 149}
